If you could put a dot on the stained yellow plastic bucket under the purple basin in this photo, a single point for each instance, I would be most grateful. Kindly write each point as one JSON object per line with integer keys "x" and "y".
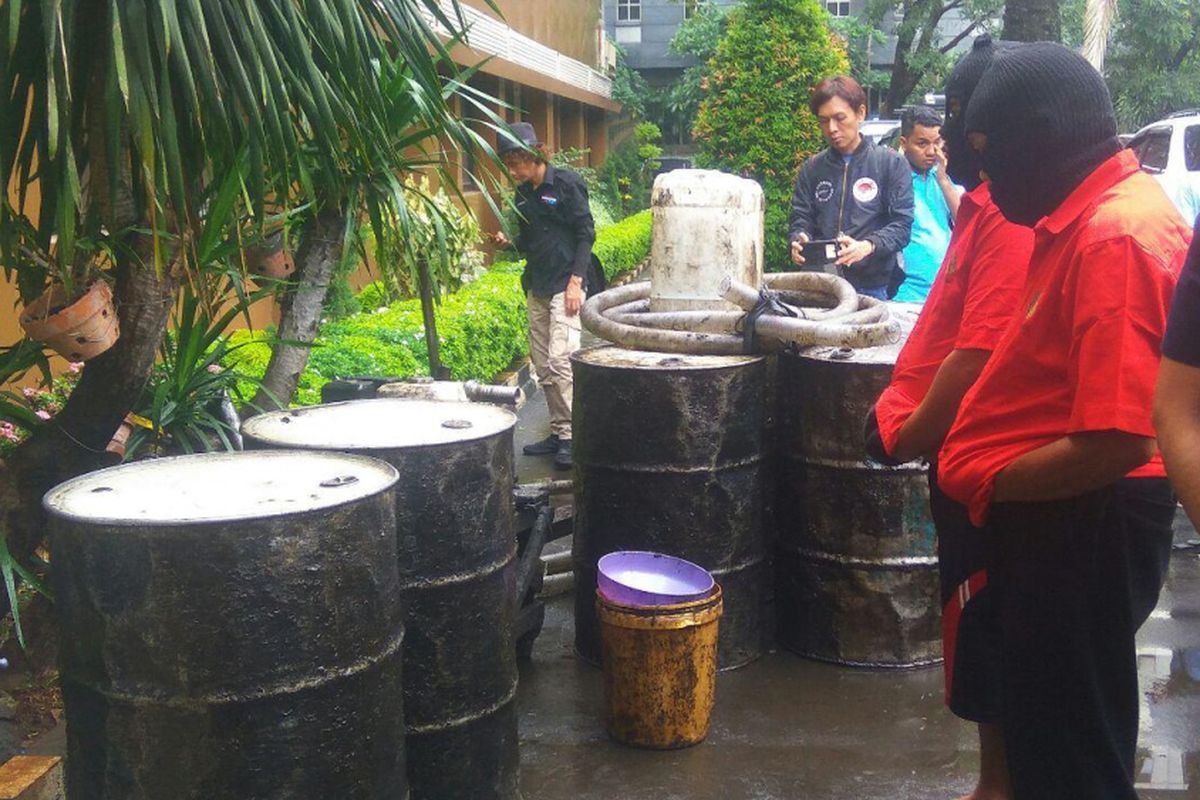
{"x": 659, "y": 671}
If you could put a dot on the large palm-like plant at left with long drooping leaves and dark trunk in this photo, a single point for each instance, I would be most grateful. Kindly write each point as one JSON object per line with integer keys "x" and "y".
{"x": 124, "y": 124}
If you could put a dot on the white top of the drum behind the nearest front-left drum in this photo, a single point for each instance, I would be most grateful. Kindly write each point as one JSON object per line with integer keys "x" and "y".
{"x": 385, "y": 424}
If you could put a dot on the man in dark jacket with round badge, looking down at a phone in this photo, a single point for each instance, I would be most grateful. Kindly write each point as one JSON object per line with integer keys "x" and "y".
{"x": 855, "y": 193}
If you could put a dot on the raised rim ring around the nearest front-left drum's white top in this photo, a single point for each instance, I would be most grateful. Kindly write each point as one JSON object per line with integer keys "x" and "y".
{"x": 141, "y": 524}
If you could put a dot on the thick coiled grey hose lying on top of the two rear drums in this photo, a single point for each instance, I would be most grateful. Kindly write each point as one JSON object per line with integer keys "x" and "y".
{"x": 802, "y": 310}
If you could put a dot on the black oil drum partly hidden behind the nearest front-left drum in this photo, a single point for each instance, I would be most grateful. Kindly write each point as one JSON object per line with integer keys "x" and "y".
{"x": 458, "y": 572}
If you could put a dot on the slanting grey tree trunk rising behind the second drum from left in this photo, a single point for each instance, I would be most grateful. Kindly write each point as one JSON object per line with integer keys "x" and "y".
{"x": 321, "y": 249}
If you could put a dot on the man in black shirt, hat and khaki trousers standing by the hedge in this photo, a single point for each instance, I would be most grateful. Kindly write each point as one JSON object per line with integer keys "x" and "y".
{"x": 556, "y": 237}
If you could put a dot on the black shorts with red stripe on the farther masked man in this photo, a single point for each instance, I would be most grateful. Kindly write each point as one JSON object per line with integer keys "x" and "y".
{"x": 970, "y": 623}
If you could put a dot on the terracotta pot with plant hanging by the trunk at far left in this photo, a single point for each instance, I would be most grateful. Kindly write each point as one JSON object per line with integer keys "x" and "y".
{"x": 79, "y": 332}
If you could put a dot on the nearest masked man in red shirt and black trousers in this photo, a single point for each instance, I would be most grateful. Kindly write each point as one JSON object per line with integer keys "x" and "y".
{"x": 1054, "y": 446}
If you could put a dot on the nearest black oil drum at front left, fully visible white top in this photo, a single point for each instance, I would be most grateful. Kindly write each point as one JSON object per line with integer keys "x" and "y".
{"x": 231, "y": 629}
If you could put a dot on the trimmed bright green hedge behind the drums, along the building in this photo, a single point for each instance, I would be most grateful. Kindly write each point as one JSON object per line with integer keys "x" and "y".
{"x": 482, "y": 327}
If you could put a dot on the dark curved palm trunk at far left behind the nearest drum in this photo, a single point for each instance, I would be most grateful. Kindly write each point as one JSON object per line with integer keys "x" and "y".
{"x": 74, "y": 444}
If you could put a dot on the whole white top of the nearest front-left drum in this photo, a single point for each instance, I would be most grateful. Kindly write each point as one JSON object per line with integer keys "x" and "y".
{"x": 215, "y": 488}
